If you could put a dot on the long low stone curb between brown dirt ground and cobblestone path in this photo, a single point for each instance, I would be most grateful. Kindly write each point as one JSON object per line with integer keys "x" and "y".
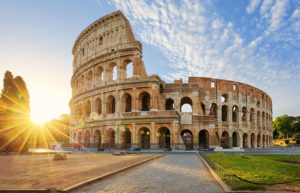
{"x": 86, "y": 182}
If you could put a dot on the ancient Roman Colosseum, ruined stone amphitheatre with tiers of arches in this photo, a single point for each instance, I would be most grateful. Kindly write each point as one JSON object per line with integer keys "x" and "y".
{"x": 116, "y": 104}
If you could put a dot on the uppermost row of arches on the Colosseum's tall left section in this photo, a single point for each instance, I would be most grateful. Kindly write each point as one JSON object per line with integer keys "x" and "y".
{"x": 103, "y": 74}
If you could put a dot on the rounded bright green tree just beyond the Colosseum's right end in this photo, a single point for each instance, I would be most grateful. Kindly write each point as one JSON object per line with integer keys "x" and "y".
{"x": 283, "y": 125}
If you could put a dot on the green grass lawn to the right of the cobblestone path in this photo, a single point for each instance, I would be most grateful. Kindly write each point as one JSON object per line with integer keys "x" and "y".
{"x": 259, "y": 168}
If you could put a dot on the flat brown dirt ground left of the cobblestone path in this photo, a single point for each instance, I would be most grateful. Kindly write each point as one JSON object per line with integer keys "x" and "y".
{"x": 41, "y": 171}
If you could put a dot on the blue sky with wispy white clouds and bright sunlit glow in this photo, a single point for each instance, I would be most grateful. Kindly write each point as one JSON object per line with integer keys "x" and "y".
{"x": 255, "y": 42}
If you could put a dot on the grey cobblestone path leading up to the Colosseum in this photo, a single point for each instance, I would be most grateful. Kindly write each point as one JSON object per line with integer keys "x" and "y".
{"x": 171, "y": 173}
